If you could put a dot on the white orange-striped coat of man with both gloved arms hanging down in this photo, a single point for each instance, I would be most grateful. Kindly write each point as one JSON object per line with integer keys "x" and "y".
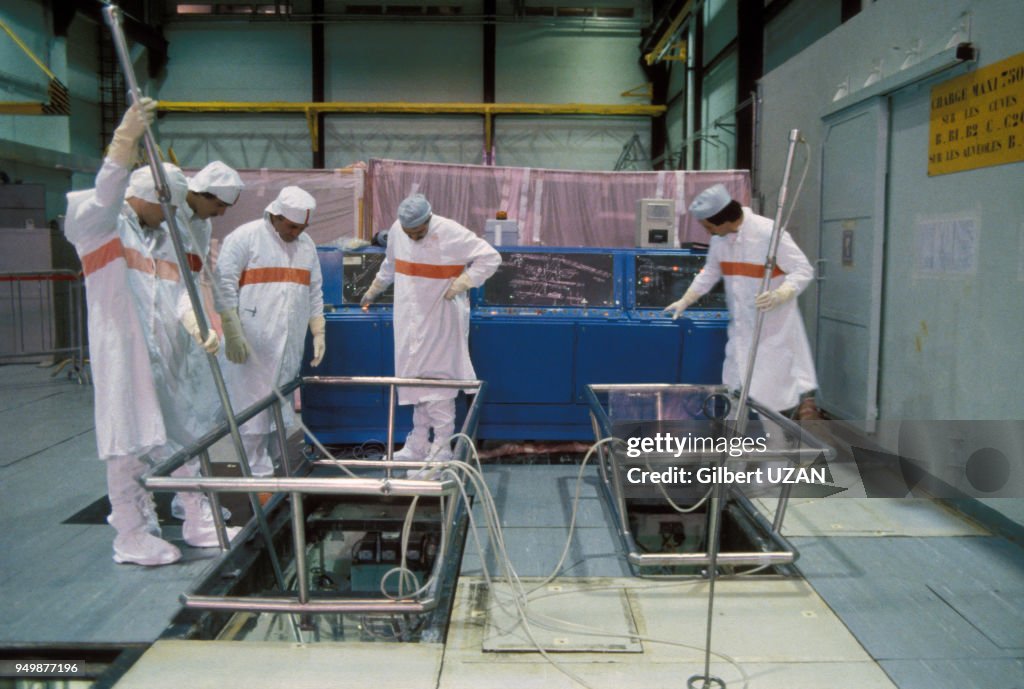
{"x": 277, "y": 287}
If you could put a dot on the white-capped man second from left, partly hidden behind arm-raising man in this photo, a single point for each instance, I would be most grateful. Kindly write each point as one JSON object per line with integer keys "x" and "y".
{"x": 193, "y": 407}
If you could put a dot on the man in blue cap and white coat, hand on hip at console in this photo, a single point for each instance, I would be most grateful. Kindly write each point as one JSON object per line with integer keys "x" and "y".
{"x": 433, "y": 262}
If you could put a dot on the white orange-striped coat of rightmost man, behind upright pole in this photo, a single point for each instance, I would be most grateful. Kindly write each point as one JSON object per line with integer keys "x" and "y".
{"x": 784, "y": 369}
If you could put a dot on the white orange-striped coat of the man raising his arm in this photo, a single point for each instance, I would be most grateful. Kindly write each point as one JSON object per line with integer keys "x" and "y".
{"x": 117, "y": 264}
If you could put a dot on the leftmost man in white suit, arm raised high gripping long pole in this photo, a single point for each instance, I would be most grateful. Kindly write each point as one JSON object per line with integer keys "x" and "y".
{"x": 115, "y": 229}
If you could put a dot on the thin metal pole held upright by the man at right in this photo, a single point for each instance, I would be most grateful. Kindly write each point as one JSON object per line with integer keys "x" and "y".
{"x": 740, "y": 427}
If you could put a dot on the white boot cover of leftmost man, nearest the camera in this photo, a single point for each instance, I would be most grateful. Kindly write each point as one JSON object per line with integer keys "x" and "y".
{"x": 134, "y": 543}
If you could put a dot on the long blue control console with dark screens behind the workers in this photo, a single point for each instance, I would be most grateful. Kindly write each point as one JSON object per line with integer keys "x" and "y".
{"x": 549, "y": 323}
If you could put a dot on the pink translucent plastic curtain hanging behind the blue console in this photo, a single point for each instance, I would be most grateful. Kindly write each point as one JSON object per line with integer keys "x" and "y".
{"x": 554, "y": 208}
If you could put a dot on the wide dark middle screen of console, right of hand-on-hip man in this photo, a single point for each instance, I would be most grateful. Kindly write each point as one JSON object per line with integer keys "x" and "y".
{"x": 569, "y": 280}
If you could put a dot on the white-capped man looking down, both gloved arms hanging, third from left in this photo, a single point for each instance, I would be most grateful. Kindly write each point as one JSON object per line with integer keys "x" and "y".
{"x": 270, "y": 282}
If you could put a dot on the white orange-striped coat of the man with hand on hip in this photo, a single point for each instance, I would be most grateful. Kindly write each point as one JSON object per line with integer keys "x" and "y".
{"x": 432, "y": 334}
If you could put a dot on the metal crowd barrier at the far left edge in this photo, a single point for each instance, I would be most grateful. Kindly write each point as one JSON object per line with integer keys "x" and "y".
{"x": 34, "y": 321}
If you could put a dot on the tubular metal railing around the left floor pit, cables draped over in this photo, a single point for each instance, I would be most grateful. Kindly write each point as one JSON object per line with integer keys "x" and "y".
{"x": 445, "y": 489}
